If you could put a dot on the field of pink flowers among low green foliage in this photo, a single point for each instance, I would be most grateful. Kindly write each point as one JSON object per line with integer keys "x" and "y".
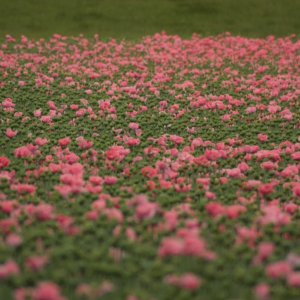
{"x": 161, "y": 169}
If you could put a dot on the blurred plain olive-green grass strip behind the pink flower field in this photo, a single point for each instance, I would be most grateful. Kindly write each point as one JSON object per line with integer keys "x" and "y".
{"x": 132, "y": 19}
